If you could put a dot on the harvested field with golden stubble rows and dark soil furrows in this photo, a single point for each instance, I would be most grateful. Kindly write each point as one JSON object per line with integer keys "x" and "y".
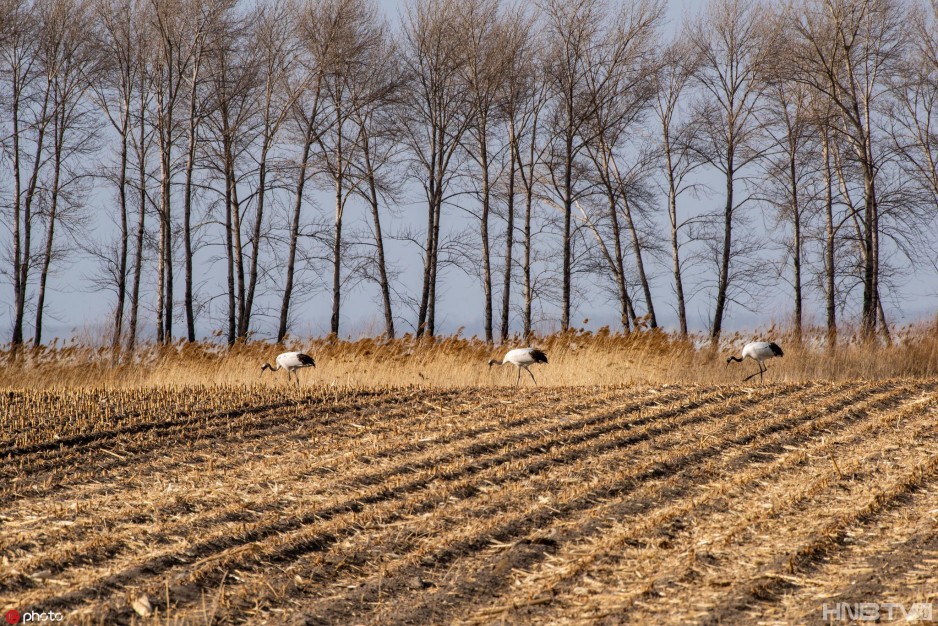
{"x": 673, "y": 504}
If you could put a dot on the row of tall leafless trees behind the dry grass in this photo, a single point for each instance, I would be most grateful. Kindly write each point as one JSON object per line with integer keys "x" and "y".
{"x": 555, "y": 151}
